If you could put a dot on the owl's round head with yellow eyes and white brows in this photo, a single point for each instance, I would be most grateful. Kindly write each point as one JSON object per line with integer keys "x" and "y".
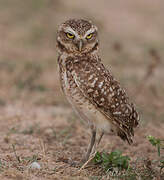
{"x": 77, "y": 36}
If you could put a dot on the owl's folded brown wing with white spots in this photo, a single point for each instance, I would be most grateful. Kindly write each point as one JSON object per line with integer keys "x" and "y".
{"x": 98, "y": 85}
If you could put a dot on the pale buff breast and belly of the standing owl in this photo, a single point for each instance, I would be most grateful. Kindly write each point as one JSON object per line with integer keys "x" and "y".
{"x": 81, "y": 104}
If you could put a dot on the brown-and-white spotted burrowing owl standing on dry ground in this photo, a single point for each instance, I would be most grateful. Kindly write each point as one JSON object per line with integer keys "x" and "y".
{"x": 91, "y": 88}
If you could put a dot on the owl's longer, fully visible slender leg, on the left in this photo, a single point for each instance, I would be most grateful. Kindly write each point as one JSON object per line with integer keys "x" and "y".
{"x": 91, "y": 144}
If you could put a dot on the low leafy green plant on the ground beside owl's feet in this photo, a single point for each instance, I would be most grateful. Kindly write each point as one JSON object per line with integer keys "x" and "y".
{"x": 112, "y": 161}
